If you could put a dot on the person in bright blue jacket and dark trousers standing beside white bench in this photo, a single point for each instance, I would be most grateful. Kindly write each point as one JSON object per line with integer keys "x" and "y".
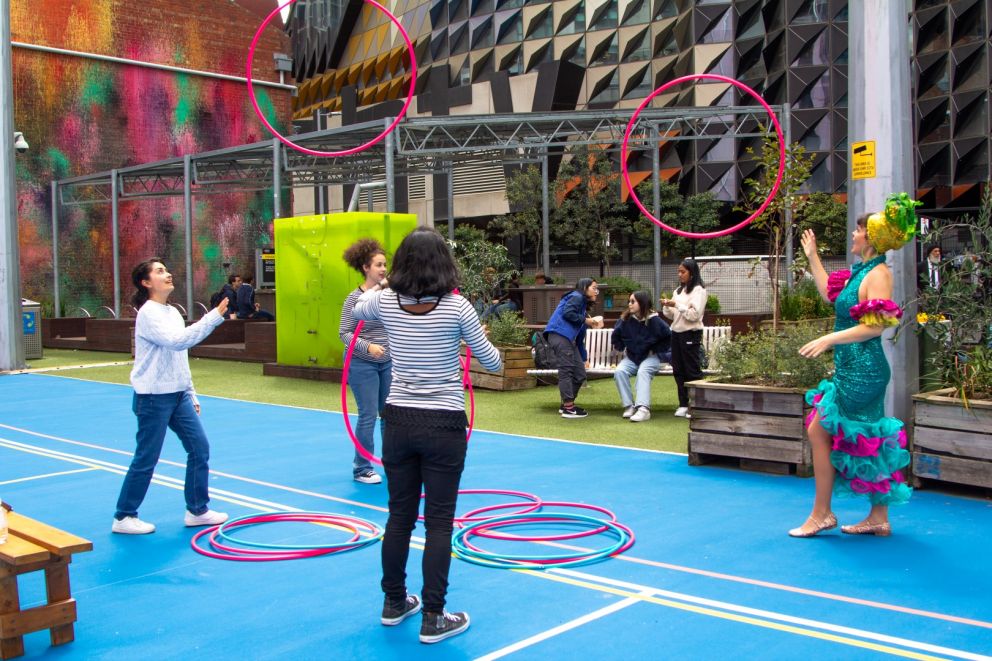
{"x": 566, "y": 334}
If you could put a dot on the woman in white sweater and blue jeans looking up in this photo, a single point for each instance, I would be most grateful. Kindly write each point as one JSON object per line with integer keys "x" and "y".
{"x": 164, "y": 399}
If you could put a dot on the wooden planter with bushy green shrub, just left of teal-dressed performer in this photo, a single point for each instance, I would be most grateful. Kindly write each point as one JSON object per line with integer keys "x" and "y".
{"x": 754, "y": 410}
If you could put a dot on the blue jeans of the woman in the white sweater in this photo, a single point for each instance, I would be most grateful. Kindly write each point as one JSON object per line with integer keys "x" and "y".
{"x": 155, "y": 414}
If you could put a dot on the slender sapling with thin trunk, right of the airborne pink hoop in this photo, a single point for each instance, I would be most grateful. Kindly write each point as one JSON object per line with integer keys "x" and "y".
{"x": 772, "y": 221}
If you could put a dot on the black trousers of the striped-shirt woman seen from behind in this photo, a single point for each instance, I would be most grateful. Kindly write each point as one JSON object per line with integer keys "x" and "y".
{"x": 415, "y": 456}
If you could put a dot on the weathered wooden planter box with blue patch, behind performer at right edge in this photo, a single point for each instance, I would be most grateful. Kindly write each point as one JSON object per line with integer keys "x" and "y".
{"x": 952, "y": 443}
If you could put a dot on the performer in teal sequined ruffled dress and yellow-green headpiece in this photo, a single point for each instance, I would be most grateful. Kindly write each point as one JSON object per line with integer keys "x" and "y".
{"x": 857, "y": 450}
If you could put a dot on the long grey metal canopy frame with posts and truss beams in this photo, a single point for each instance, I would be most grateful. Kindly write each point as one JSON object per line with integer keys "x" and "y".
{"x": 418, "y": 146}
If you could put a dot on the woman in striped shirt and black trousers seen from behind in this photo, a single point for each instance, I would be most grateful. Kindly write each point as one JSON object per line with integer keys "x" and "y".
{"x": 424, "y": 442}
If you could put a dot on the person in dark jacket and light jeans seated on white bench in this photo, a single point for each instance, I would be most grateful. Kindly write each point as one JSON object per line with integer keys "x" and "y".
{"x": 646, "y": 341}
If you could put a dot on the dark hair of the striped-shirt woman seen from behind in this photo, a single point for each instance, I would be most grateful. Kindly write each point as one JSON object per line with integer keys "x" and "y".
{"x": 423, "y": 265}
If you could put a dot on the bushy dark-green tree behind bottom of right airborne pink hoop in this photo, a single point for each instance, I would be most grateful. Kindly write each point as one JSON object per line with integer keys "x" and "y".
{"x": 697, "y": 213}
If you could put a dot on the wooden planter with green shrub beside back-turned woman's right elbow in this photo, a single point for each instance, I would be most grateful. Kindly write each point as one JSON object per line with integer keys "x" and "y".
{"x": 513, "y": 339}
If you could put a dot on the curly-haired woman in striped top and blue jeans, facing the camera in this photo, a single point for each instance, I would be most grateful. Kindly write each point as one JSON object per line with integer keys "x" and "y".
{"x": 371, "y": 367}
